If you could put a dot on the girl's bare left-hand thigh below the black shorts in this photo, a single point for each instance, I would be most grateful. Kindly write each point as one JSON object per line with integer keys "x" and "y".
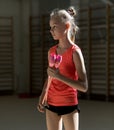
{"x": 54, "y": 122}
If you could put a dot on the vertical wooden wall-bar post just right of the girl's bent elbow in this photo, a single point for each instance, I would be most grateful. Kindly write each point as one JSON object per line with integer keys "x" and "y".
{"x": 89, "y": 52}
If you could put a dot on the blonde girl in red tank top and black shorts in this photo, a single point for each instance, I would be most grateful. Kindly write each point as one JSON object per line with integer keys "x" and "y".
{"x": 62, "y": 100}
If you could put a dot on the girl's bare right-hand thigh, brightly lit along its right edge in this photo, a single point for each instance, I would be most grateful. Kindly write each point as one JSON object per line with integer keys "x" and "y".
{"x": 71, "y": 121}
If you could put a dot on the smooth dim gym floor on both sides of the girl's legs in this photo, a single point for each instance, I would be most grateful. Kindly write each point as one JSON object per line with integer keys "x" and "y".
{"x": 21, "y": 114}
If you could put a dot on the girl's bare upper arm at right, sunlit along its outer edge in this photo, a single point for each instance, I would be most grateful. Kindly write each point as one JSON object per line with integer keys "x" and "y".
{"x": 79, "y": 64}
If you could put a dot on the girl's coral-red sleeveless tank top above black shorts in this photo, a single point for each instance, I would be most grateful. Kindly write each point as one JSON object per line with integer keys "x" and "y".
{"x": 59, "y": 93}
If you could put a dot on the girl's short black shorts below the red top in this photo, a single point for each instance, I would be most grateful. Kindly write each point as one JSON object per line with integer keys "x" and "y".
{"x": 62, "y": 110}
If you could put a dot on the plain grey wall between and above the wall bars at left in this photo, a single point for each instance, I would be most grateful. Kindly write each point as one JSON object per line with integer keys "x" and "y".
{"x": 21, "y": 10}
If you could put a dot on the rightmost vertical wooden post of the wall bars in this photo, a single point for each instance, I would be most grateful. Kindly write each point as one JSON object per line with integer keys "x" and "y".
{"x": 108, "y": 51}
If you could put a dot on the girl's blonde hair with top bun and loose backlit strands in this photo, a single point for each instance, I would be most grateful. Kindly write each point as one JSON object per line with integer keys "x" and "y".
{"x": 67, "y": 16}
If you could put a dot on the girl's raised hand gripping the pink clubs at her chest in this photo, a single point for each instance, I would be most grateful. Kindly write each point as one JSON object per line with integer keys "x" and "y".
{"x": 52, "y": 72}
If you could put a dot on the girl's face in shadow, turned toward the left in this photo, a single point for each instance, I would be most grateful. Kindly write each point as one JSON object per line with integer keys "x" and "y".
{"x": 57, "y": 29}
